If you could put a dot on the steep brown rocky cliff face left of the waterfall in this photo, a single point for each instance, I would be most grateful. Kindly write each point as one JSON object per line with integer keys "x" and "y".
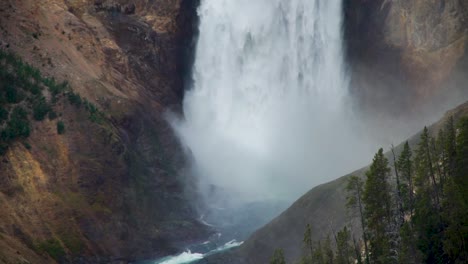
{"x": 111, "y": 190}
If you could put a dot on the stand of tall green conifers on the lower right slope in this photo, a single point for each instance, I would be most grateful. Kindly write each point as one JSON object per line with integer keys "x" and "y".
{"x": 434, "y": 187}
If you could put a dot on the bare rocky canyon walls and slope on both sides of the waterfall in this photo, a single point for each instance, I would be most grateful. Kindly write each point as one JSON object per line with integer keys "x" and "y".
{"x": 122, "y": 190}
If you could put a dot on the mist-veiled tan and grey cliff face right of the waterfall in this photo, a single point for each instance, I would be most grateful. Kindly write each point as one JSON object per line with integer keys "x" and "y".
{"x": 407, "y": 54}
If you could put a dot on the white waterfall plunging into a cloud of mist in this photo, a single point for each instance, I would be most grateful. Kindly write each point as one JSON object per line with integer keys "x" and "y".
{"x": 267, "y": 114}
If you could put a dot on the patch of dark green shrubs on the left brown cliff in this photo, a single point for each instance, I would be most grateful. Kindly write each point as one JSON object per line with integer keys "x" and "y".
{"x": 23, "y": 96}
